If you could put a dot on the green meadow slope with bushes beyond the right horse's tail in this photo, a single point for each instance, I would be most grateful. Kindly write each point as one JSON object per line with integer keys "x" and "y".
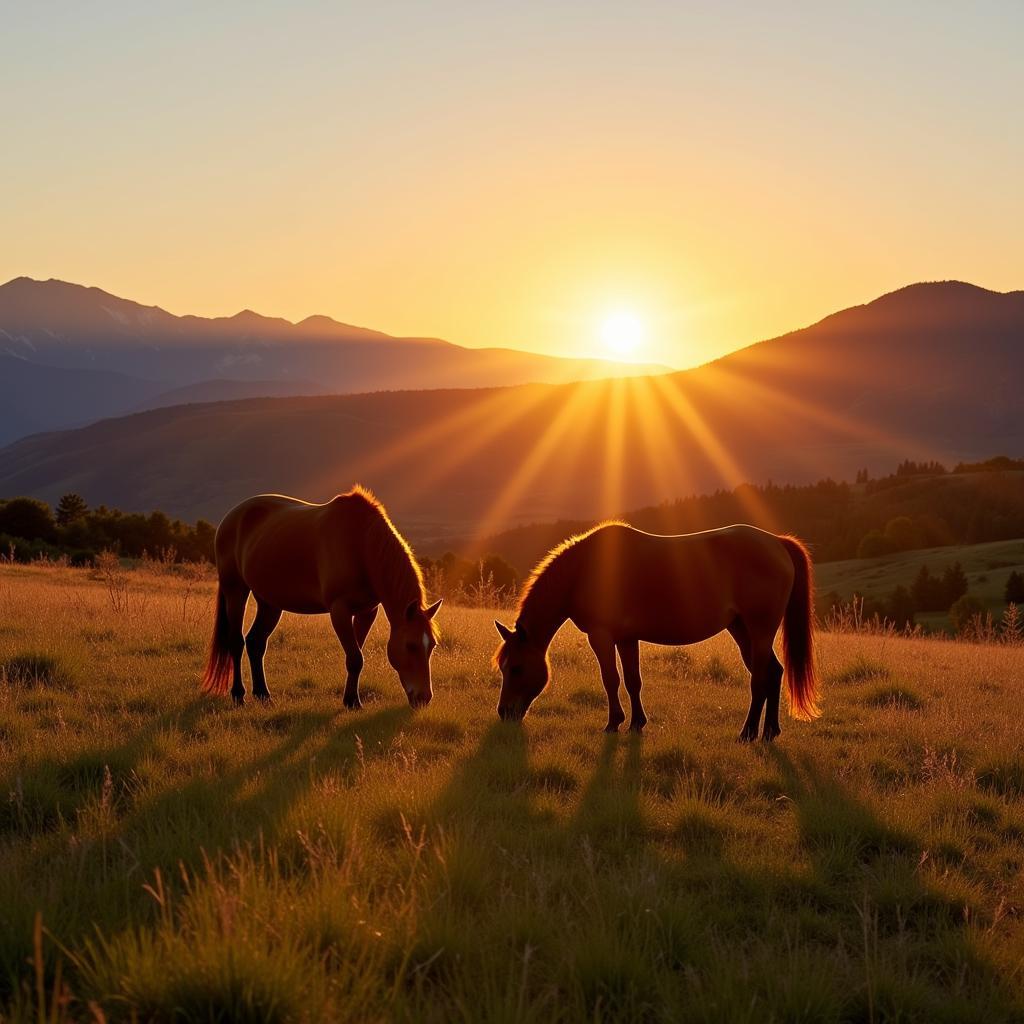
{"x": 987, "y": 566}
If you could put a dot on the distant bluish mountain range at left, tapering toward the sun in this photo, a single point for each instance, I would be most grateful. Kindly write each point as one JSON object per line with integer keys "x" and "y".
{"x": 156, "y": 357}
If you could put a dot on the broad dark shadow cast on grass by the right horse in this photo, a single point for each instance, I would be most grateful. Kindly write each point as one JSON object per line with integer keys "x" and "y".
{"x": 677, "y": 924}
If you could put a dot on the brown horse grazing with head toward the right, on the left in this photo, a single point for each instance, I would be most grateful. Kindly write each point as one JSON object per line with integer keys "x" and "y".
{"x": 344, "y": 559}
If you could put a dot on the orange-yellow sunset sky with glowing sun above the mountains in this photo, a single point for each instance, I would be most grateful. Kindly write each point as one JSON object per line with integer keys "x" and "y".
{"x": 660, "y": 182}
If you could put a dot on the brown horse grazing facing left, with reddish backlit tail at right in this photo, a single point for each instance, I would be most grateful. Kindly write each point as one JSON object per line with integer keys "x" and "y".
{"x": 622, "y": 586}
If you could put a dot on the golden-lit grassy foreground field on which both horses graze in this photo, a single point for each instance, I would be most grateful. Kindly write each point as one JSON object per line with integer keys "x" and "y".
{"x": 298, "y": 863}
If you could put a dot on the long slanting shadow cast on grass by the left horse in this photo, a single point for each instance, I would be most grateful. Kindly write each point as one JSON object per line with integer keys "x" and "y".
{"x": 123, "y": 835}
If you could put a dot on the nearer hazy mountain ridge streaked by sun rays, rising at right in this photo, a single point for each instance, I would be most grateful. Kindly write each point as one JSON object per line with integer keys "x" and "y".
{"x": 929, "y": 372}
